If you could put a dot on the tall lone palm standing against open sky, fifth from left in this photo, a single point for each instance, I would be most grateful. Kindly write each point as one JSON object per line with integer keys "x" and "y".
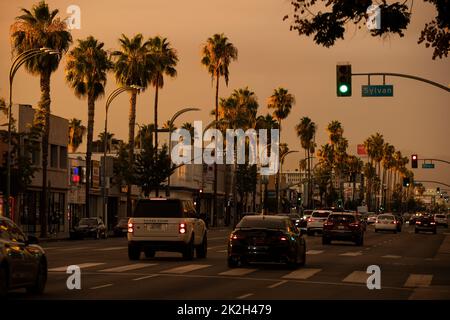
{"x": 217, "y": 54}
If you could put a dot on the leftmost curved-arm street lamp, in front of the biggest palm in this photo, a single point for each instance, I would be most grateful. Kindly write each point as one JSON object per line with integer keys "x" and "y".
{"x": 17, "y": 63}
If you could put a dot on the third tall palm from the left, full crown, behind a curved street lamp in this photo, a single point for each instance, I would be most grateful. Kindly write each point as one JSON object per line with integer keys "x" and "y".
{"x": 132, "y": 67}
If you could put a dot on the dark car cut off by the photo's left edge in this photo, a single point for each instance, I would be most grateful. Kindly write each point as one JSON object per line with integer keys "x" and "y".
{"x": 23, "y": 263}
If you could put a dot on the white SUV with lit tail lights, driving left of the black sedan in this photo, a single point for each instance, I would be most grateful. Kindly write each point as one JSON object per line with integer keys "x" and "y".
{"x": 161, "y": 224}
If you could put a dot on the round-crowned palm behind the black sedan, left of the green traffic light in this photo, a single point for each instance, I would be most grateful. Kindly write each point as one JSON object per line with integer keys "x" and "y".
{"x": 281, "y": 101}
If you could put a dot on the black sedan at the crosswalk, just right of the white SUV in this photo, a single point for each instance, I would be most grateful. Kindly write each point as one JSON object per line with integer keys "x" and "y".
{"x": 266, "y": 238}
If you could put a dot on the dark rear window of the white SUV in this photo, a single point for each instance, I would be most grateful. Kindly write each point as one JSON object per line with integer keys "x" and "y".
{"x": 158, "y": 209}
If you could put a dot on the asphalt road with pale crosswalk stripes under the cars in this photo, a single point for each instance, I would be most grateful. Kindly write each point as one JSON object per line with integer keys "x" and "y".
{"x": 413, "y": 266}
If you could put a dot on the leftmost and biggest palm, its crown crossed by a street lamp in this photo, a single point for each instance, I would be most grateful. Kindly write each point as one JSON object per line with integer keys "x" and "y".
{"x": 37, "y": 28}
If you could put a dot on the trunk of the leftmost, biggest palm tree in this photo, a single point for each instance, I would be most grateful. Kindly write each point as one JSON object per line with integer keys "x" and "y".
{"x": 42, "y": 118}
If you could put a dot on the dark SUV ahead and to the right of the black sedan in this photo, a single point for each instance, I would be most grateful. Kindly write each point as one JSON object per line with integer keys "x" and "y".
{"x": 343, "y": 226}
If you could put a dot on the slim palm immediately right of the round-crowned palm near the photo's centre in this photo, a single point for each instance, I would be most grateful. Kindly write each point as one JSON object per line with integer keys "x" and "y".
{"x": 306, "y": 131}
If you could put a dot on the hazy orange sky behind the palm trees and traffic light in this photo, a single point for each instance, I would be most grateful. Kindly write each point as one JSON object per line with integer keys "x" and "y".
{"x": 415, "y": 120}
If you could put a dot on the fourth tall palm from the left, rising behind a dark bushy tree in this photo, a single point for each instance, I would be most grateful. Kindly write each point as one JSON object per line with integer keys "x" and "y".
{"x": 164, "y": 59}
